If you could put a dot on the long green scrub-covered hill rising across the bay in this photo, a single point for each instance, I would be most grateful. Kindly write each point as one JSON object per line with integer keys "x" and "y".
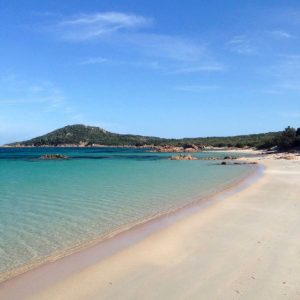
{"x": 89, "y": 135}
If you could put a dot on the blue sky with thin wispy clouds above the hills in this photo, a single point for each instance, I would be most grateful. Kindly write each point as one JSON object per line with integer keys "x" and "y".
{"x": 162, "y": 67}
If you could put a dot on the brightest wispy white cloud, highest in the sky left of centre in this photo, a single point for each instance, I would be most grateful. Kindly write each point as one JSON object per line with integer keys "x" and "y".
{"x": 94, "y": 26}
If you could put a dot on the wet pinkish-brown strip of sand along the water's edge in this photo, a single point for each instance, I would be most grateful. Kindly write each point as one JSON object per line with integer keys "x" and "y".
{"x": 106, "y": 246}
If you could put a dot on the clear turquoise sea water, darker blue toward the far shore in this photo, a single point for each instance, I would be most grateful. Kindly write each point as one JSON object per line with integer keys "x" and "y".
{"x": 48, "y": 207}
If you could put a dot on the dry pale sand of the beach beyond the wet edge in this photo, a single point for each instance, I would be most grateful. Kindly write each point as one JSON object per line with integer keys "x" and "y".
{"x": 245, "y": 247}
